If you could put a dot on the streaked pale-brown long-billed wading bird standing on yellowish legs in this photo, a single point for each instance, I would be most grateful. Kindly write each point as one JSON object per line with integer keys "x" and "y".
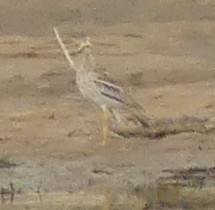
{"x": 99, "y": 87}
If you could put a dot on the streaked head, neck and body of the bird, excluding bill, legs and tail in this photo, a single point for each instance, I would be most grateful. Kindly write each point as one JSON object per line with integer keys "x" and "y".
{"x": 95, "y": 86}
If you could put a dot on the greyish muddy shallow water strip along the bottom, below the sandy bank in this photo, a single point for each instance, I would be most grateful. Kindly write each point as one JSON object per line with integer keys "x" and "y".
{"x": 38, "y": 185}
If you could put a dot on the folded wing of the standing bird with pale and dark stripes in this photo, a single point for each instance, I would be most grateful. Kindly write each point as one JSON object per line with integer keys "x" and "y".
{"x": 109, "y": 88}
